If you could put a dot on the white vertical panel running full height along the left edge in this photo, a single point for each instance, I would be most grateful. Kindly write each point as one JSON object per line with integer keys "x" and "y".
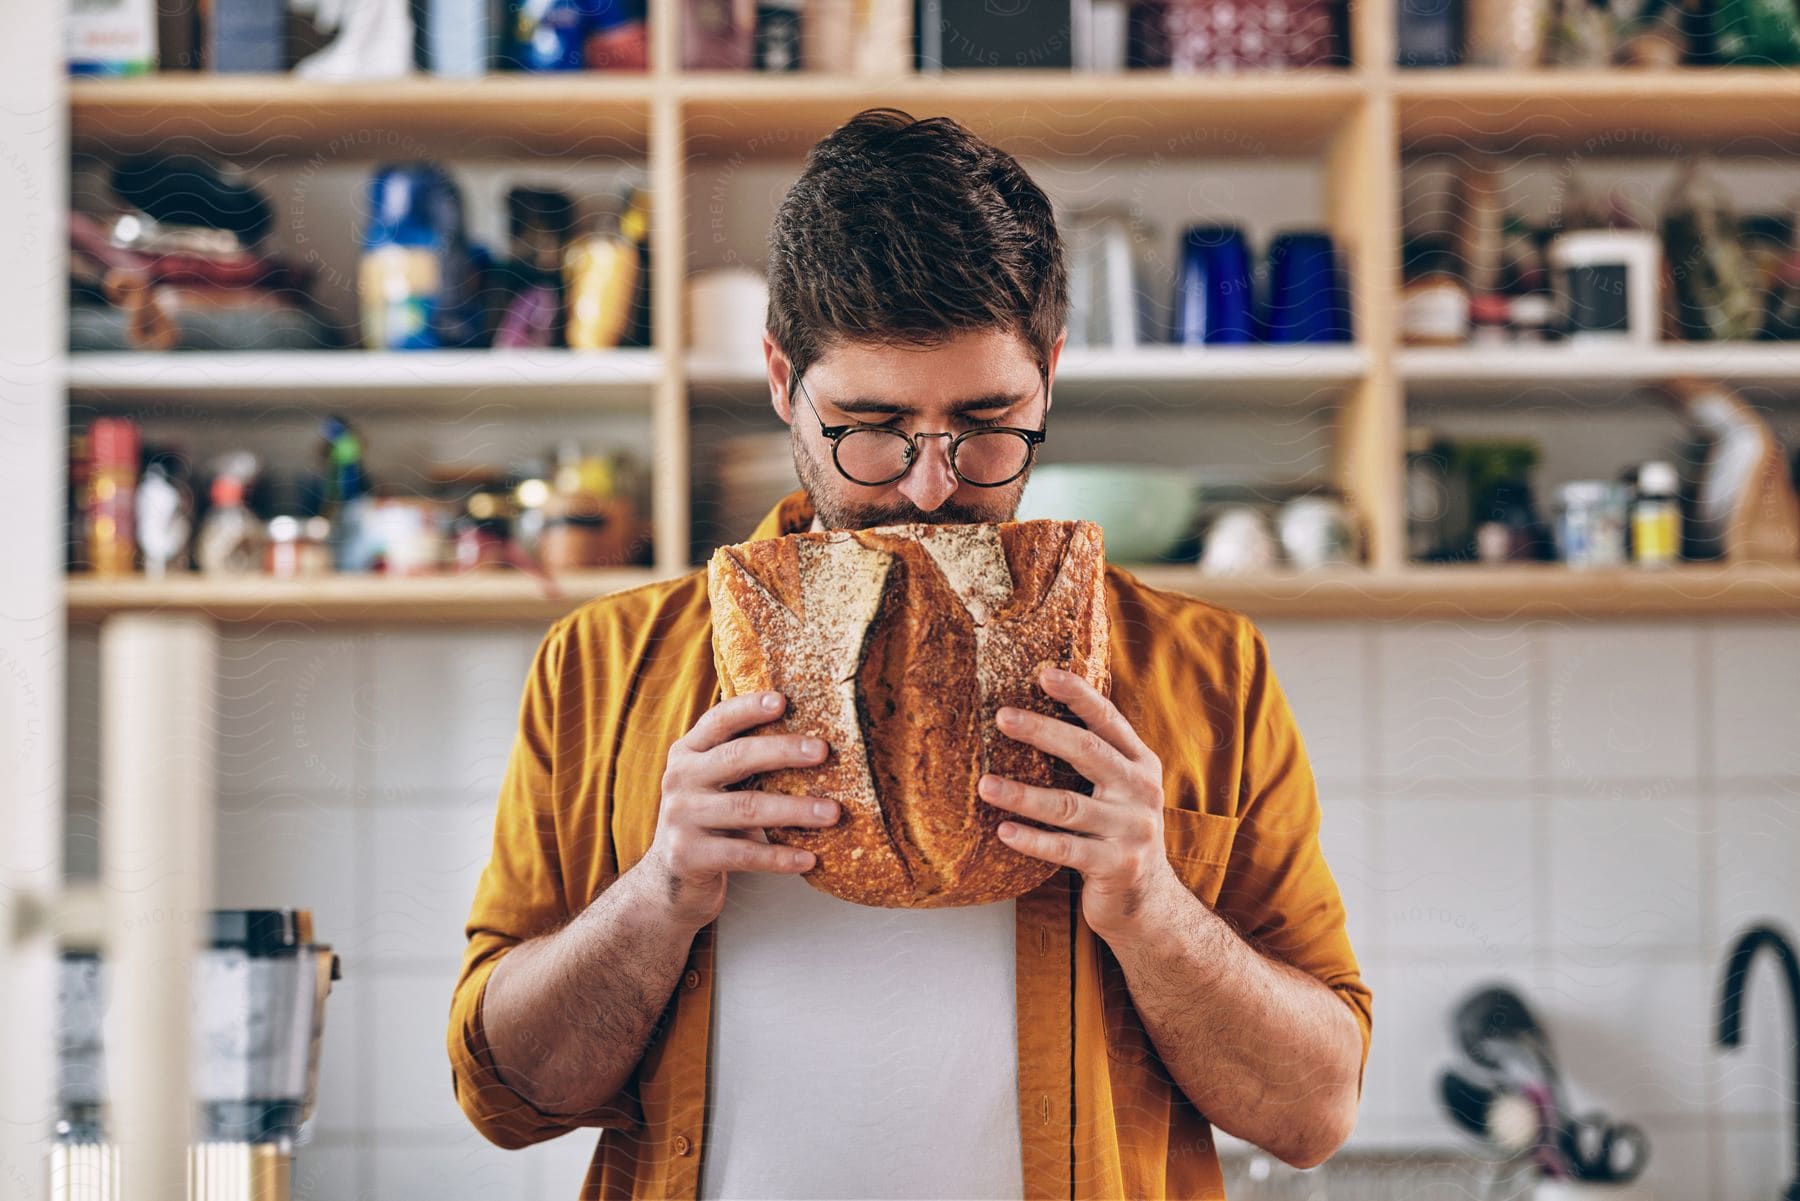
{"x": 33, "y": 447}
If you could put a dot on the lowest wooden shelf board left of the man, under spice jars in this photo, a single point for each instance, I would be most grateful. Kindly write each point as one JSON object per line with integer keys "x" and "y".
{"x": 465, "y": 599}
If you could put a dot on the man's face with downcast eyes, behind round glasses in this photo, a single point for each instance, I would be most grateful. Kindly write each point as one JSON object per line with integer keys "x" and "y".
{"x": 976, "y": 379}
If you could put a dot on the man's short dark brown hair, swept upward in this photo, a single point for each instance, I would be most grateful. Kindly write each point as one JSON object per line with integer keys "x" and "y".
{"x": 904, "y": 231}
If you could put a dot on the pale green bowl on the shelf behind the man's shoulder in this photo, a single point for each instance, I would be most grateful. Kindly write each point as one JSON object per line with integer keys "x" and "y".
{"x": 1144, "y": 510}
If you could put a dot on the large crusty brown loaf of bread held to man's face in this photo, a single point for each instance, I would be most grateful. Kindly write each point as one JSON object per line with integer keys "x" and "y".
{"x": 897, "y": 646}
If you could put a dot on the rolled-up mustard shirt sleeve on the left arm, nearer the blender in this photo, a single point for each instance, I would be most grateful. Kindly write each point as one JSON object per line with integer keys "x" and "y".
{"x": 521, "y": 896}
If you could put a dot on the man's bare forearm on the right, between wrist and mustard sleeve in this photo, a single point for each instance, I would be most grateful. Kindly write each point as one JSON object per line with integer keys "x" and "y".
{"x": 1264, "y": 1051}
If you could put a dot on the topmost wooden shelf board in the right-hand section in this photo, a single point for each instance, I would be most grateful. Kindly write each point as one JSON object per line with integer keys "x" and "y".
{"x": 1653, "y": 114}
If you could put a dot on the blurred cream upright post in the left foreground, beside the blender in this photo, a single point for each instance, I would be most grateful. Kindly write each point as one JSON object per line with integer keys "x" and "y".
{"x": 157, "y": 728}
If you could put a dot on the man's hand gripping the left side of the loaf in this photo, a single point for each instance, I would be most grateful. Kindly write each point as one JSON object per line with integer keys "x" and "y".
{"x": 705, "y": 827}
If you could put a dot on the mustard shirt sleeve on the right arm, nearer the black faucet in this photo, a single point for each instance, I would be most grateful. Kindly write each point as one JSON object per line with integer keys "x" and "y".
{"x": 1279, "y": 890}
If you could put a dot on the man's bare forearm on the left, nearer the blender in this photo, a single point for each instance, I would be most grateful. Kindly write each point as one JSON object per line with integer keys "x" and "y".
{"x": 570, "y": 1015}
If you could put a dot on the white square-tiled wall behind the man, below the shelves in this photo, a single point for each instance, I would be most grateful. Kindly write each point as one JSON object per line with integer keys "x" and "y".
{"x": 1588, "y": 811}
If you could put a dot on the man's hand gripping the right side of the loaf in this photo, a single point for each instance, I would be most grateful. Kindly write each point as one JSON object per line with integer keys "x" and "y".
{"x": 1115, "y": 836}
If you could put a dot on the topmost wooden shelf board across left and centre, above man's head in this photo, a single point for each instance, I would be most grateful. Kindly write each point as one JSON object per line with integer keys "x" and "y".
{"x": 744, "y": 114}
